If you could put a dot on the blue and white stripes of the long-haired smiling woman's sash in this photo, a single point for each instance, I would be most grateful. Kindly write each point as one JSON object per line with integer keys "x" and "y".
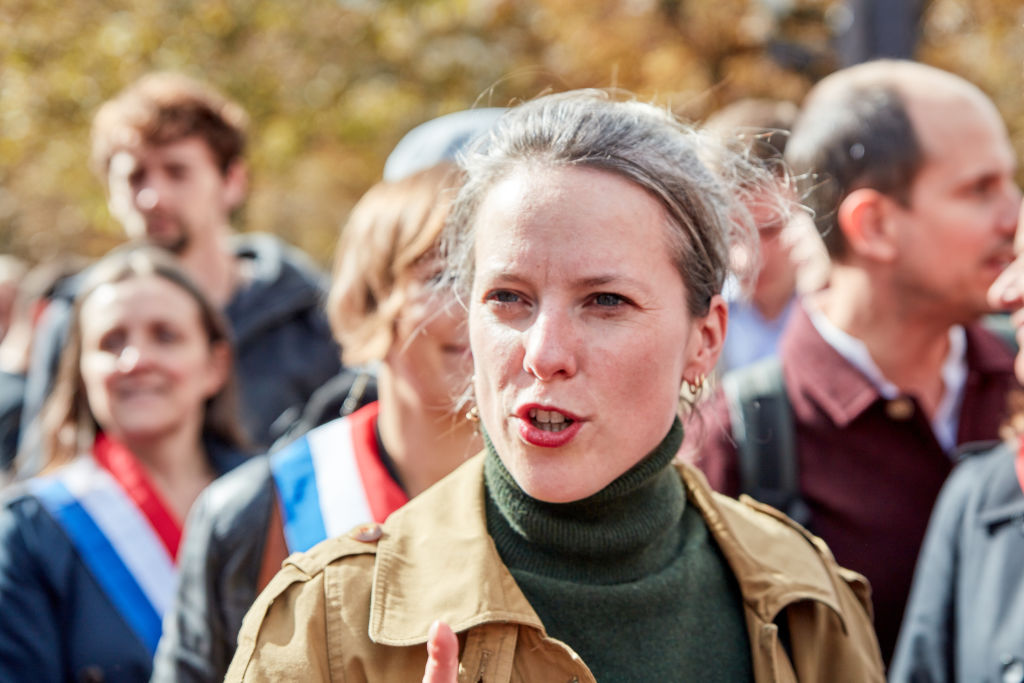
{"x": 116, "y": 540}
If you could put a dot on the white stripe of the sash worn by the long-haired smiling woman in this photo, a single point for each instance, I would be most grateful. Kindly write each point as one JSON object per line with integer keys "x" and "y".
{"x": 135, "y": 540}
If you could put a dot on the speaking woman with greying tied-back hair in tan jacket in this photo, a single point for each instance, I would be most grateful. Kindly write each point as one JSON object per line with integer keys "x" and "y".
{"x": 590, "y": 242}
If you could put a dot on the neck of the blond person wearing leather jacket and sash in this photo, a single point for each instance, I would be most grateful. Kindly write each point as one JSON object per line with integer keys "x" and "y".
{"x": 424, "y": 443}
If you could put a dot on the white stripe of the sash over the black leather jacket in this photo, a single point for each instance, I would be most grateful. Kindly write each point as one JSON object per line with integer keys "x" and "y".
{"x": 339, "y": 487}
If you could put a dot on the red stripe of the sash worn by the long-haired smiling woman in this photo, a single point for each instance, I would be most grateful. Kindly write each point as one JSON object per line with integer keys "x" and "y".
{"x": 132, "y": 477}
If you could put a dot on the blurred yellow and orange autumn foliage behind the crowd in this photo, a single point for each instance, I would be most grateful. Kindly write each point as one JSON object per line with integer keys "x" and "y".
{"x": 332, "y": 86}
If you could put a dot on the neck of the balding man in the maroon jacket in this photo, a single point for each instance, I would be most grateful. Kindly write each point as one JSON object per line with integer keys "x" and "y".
{"x": 907, "y": 343}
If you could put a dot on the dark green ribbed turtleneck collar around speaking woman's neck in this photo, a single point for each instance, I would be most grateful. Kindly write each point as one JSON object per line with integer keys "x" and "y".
{"x": 625, "y": 531}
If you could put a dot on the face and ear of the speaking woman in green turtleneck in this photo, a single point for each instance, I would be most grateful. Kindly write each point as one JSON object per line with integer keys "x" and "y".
{"x": 580, "y": 329}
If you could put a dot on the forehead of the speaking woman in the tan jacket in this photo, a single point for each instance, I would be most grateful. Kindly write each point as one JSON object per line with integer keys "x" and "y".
{"x": 571, "y": 220}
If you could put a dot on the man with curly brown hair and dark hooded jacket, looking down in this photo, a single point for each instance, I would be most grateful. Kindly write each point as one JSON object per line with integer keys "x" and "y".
{"x": 170, "y": 152}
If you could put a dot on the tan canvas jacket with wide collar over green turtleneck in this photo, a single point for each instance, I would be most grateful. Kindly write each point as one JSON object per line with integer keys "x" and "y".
{"x": 359, "y": 608}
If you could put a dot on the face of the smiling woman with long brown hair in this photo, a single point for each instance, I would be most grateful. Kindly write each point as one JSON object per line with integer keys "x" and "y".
{"x": 147, "y": 363}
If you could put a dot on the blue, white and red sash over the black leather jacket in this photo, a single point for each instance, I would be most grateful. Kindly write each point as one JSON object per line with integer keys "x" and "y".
{"x": 332, "y": 480}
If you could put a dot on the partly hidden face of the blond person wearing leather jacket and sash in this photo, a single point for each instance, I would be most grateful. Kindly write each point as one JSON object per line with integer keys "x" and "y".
{"x": 431, "y": 353}
